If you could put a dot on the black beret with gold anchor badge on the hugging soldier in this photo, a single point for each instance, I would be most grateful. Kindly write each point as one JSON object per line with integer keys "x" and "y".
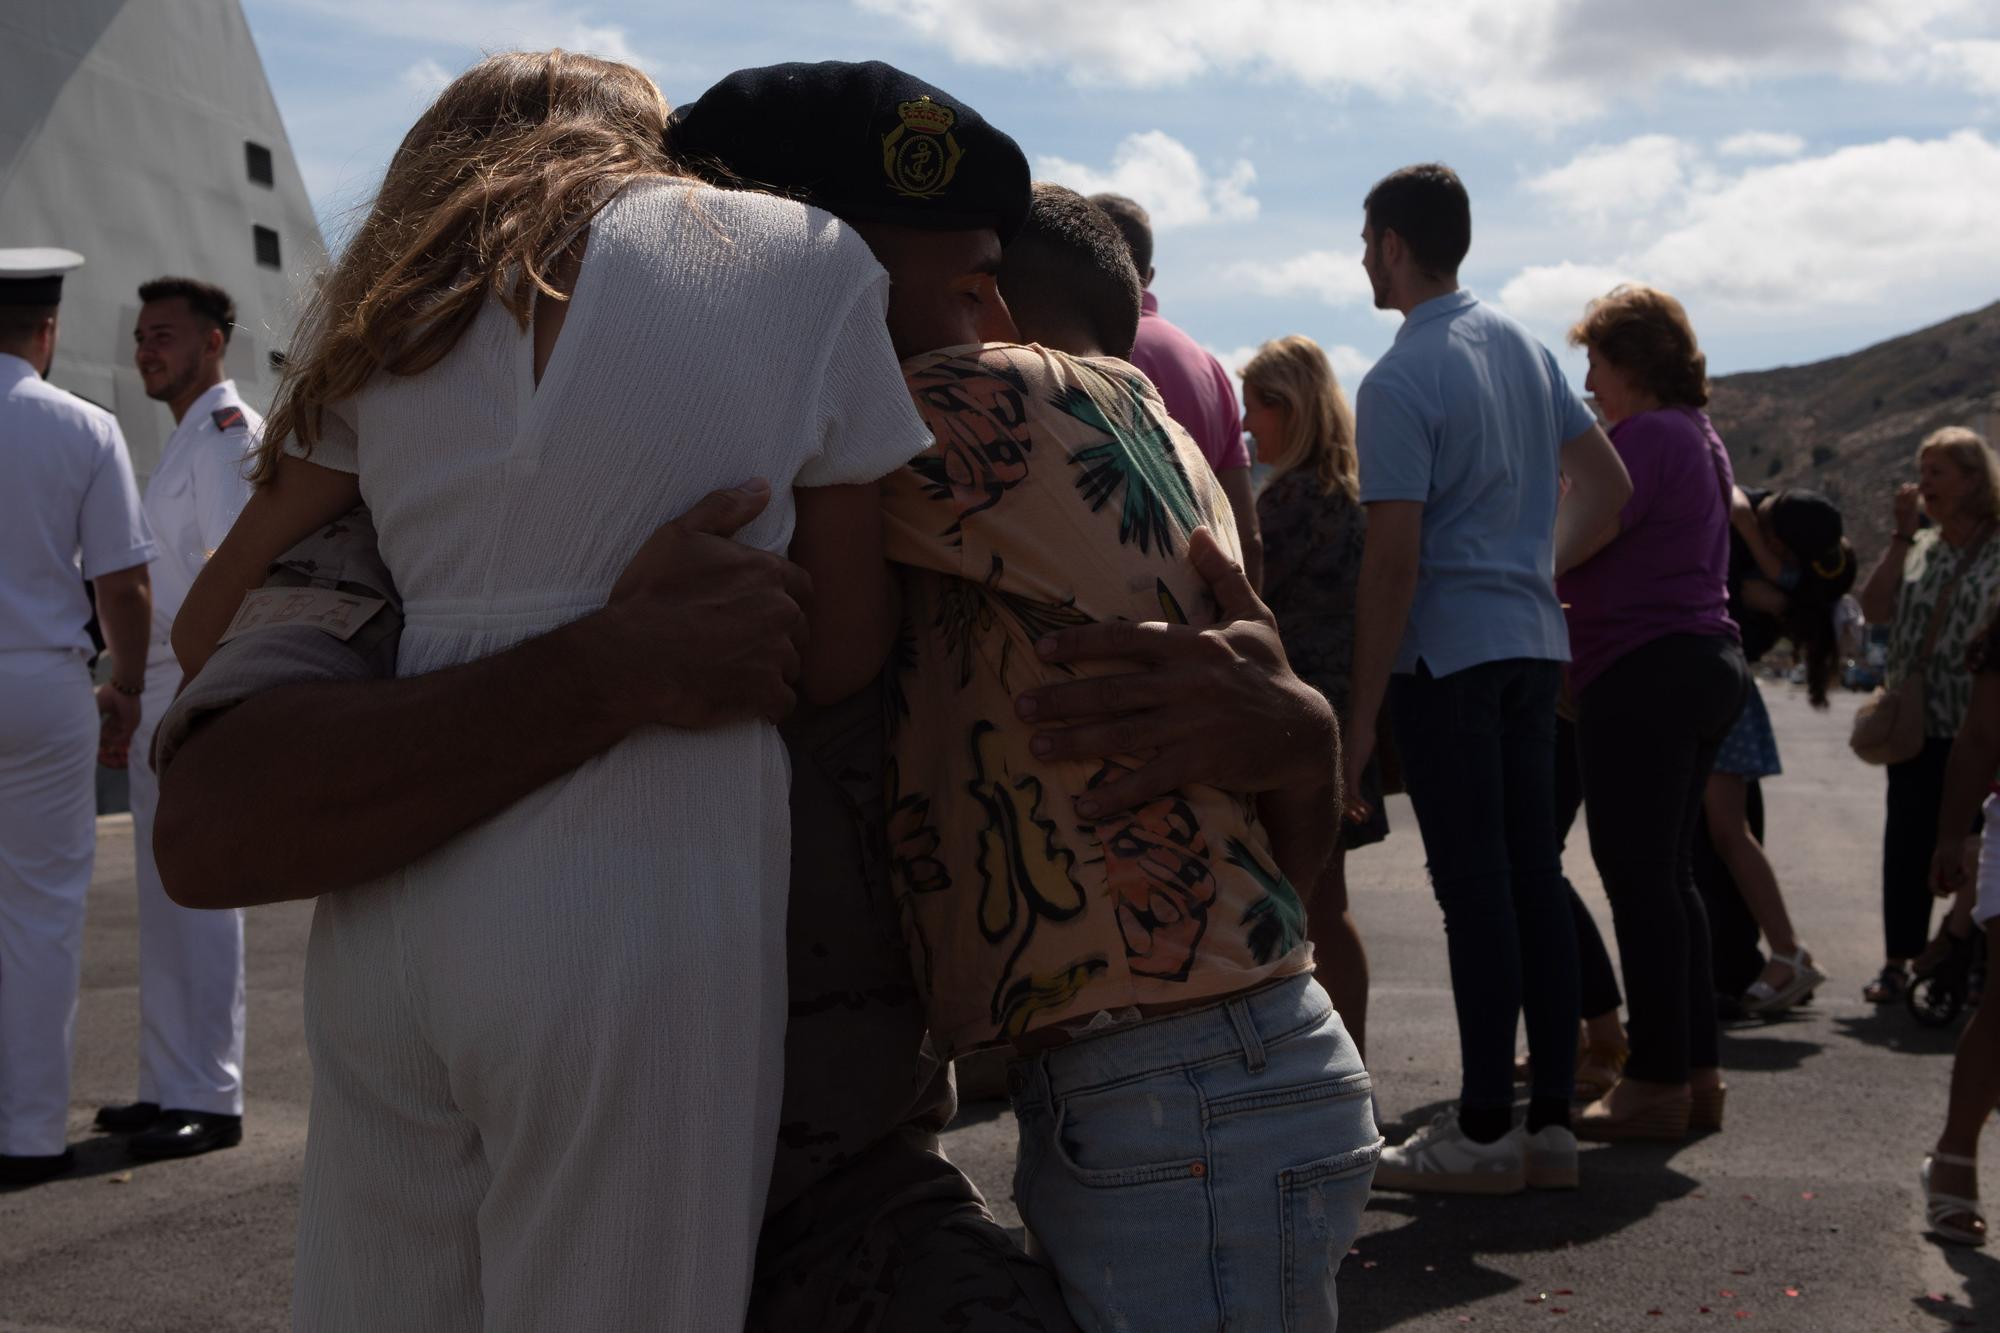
{"x": 867, "y": 143}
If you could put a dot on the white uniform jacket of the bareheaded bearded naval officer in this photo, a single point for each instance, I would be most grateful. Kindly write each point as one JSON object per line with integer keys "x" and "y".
{"x": 195, "y": 497}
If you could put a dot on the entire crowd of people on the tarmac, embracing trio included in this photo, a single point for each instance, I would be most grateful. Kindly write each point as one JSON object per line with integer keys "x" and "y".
{"x": 903, "y": 661}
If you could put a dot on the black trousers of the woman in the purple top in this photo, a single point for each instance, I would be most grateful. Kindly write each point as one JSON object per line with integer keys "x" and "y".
{"x": 1649, "y": 732}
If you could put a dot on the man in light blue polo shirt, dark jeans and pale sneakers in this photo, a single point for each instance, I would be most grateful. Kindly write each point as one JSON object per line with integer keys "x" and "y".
{"x": 1467, "y": 431}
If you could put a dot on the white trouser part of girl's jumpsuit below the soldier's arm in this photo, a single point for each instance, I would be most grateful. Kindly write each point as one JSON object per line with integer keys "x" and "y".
{"x": 547, "y": 1070}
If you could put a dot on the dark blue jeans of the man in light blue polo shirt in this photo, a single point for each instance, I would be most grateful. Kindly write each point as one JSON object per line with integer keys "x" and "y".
{"x": 1479, "y": 756}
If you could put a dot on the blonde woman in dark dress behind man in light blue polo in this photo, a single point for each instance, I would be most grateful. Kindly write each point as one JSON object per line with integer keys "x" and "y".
{"x": 1313, "y": 527}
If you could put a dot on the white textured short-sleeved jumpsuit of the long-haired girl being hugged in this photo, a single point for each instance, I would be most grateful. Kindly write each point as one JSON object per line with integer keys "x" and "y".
{"x": 549, "y": 1056}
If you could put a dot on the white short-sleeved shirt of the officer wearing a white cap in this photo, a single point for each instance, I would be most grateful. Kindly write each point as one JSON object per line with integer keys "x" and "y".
{"x": 69, "y": 509}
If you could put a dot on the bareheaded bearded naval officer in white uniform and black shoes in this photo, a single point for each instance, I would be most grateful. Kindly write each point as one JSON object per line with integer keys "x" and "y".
{"x": 191, "y": 964}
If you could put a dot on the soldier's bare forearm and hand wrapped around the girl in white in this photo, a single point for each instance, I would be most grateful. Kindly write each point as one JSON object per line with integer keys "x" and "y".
{"x": 329, "y": 784}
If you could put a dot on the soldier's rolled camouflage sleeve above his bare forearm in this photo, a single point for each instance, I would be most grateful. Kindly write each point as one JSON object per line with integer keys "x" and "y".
{"x": 329, "y": 611}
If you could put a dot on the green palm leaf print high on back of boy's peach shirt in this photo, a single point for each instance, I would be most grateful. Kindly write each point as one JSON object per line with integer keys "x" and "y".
{"x": 1139, "y": 459}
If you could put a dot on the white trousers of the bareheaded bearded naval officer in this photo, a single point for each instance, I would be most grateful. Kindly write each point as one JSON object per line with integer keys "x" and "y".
{"x": 191, "y": 964}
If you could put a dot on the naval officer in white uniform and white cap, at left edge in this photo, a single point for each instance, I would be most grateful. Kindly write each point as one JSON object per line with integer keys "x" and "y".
{"x": 69, "y": 511}
